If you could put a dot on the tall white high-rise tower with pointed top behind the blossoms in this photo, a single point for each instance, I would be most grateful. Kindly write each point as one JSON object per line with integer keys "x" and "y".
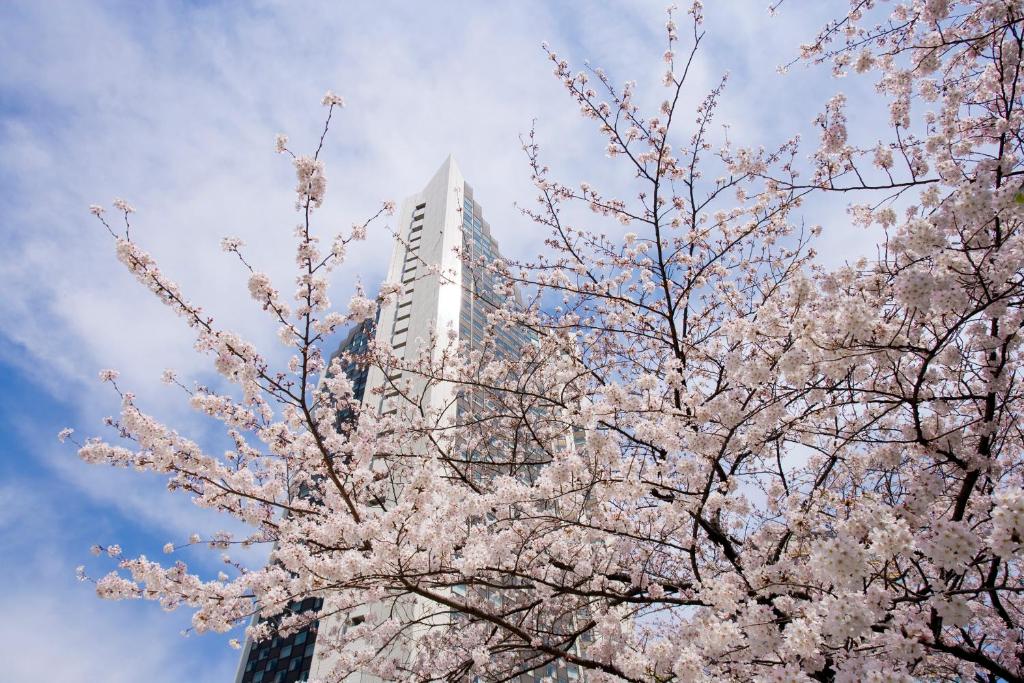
{"x": 442, "y": 234}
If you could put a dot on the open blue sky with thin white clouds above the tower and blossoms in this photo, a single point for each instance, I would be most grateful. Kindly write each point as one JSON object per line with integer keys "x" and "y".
{"x": 175, "y": 107}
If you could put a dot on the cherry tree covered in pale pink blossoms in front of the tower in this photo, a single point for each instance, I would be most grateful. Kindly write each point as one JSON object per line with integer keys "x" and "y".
{"x": 717, "y": 459}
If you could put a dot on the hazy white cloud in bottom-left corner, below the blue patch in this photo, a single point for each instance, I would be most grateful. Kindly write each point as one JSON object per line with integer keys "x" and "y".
{"x": 55, "y": 629}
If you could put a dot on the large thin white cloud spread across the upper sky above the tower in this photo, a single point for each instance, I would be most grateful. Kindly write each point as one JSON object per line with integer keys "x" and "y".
{"x": 177, "y": 111}
